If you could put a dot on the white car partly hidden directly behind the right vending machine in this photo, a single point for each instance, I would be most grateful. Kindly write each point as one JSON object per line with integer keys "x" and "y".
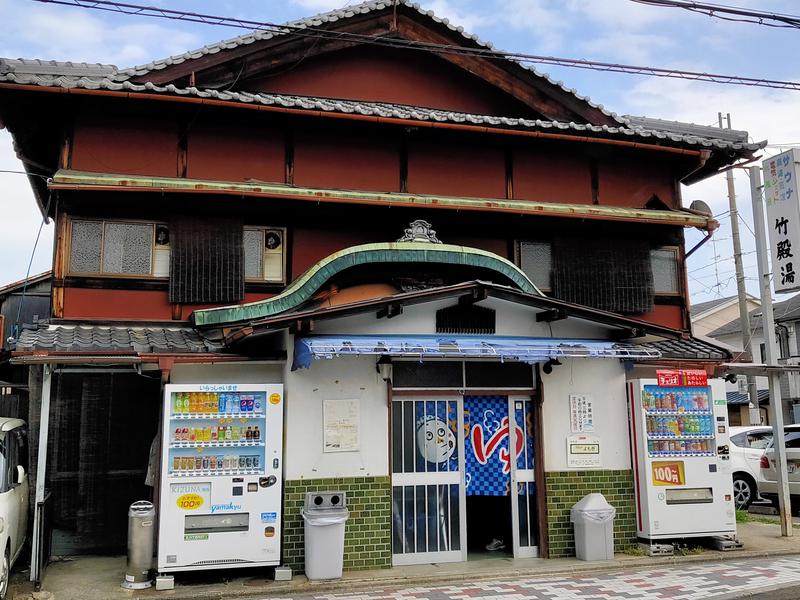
{"x": 747, "y": 447}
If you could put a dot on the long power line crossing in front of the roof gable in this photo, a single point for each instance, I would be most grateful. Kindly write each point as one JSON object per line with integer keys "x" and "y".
{"x": 525, "y": 59}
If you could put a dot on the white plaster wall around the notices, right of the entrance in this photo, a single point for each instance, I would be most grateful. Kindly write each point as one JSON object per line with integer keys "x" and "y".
{"x": 604, "y": 380}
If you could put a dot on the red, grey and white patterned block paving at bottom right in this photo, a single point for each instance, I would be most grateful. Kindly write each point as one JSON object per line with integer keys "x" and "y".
{"x": 735, "y": 579}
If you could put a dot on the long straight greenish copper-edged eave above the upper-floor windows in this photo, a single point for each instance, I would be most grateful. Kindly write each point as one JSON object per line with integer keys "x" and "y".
{"x": 84, "y": 181}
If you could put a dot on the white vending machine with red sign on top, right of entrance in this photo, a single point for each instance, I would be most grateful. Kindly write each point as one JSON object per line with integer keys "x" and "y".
{"x": 679, "y": 440}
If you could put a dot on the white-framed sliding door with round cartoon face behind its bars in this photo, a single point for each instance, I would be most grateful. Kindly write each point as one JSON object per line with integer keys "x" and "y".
{"x": 428, "y": 502}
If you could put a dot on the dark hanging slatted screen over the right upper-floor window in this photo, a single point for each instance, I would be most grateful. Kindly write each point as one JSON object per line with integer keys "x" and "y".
{"x": 614, "y": 275}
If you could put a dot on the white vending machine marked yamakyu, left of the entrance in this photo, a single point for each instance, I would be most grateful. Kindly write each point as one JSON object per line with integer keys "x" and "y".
{"x": 220, "y": 477}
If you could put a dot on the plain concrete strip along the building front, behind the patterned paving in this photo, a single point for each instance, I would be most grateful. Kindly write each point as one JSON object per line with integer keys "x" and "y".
{"x": 99, "y": 578}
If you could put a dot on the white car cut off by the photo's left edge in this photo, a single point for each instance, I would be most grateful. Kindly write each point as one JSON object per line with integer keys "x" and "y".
{"x": 13, "y": 494}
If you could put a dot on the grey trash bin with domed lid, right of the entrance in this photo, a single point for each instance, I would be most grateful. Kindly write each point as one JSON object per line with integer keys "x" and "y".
{"x": 593, "y": 520}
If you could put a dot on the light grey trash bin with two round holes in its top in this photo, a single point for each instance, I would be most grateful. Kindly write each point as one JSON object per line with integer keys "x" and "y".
{"x": 325, "y": 515}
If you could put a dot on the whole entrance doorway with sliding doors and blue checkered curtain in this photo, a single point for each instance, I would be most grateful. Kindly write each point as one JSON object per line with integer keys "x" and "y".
{"x": 462, "y": 475}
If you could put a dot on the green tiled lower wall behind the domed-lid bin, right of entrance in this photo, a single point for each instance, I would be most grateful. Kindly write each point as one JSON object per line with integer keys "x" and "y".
{"x": 565, "y": 488}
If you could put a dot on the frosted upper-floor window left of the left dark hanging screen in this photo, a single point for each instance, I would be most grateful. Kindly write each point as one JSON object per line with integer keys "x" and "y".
{"x": 126, "y": 248}
